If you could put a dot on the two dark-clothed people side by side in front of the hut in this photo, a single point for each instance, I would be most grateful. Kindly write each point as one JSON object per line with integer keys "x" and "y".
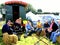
{"x": 13, "y": 28}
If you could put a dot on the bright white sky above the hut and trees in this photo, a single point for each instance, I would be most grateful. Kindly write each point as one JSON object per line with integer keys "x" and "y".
{"x": 45, "y": 5}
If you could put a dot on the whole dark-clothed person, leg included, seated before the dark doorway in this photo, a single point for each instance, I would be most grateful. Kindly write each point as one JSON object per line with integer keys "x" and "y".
{"x": 18, "y": 28}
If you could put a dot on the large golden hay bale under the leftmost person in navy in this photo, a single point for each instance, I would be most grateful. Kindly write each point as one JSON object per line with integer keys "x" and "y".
{"x": 10, "y": 39}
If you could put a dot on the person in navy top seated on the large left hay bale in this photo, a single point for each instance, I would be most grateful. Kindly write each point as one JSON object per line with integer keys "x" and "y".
{"x": 7, "y": 27}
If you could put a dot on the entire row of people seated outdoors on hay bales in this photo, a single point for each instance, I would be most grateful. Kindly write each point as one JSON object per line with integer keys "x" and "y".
{"x": 52, "y": 30}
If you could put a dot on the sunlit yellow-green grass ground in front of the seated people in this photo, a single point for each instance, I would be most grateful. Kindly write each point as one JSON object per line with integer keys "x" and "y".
{"x": 30, "y": 40}
